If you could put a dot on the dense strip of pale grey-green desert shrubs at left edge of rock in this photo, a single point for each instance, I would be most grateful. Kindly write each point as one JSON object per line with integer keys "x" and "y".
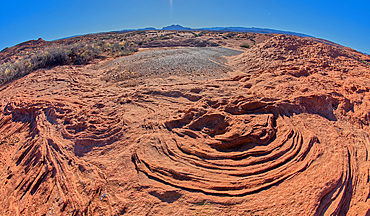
{"x": 77, "y": 53}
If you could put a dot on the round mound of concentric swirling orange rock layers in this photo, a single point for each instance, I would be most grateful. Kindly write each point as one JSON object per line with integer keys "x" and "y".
{"x": 219, "y": 152}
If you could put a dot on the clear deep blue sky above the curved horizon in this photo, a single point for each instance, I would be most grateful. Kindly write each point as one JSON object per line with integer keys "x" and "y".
{"x": 344, "y": 22}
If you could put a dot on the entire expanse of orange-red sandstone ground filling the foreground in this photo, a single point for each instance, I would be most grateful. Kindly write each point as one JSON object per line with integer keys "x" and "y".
{"x": 280, "y": 129}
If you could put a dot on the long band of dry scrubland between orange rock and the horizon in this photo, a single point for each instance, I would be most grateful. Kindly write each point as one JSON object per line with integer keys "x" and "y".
{"x": 29, "y": 56}
